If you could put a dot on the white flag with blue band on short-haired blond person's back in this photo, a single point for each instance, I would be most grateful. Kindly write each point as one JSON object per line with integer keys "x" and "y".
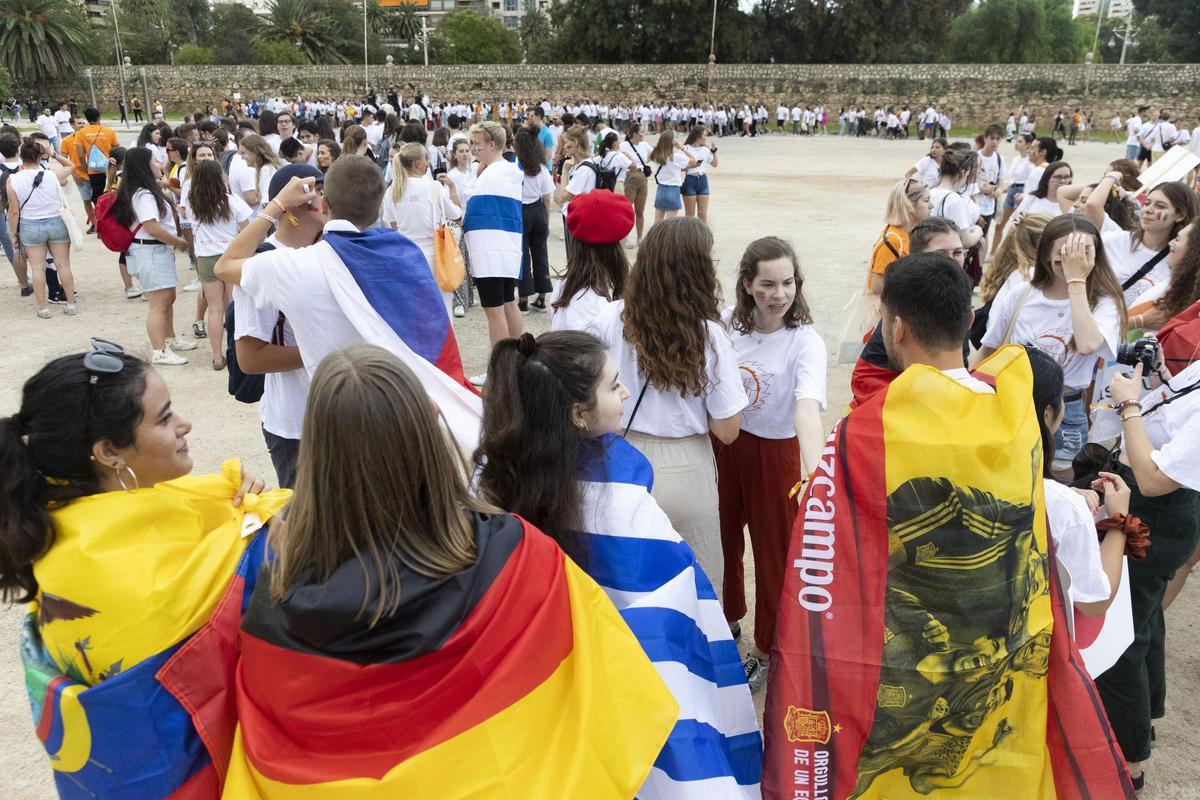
{"x": 493, "y": 225}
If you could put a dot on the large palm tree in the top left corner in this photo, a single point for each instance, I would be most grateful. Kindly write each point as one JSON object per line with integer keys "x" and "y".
{"x": 41, "y": 40}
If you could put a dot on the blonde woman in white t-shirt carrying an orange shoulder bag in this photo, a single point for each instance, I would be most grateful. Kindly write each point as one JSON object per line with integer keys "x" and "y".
{"x": 416, "y": 204}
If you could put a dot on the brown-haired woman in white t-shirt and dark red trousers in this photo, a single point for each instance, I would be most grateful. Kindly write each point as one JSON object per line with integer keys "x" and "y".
{"x": 783, "y": 363}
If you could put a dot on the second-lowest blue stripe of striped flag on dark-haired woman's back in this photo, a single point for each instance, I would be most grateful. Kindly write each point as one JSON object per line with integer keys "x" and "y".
{"x": 668, "y": 635}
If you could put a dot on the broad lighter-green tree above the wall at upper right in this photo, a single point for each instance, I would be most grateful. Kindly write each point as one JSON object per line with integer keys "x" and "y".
{"x": 1018, "y": 32}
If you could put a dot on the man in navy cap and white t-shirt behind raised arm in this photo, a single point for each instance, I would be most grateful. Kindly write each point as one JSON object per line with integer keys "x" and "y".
{"x": 266, "y": 344}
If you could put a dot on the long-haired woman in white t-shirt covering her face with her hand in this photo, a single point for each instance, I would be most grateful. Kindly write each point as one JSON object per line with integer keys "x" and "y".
{"x": 1073, "y": 309}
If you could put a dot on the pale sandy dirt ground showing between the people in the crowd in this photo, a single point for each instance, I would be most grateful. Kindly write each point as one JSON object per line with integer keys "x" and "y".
{"x": 825, "y": 195}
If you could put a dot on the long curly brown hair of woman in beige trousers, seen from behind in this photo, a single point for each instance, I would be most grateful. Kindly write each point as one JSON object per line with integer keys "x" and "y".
{"x": 673, "y": 297}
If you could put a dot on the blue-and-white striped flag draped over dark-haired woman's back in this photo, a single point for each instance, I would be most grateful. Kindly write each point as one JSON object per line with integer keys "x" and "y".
{"x": 715, "y": 750}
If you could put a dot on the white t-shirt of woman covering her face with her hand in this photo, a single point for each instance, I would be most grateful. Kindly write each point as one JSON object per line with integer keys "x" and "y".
{"x": 1047, "y": 324}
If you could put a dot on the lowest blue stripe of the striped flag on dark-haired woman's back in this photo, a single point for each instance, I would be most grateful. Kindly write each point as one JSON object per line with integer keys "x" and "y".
{"x": 697, "y": 751}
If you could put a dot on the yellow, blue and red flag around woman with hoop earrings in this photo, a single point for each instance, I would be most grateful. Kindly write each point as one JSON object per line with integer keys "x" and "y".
{"x": 129, "y": 649}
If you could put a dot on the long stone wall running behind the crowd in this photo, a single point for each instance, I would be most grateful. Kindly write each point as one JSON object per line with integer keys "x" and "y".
{"x": 975, "y": 94}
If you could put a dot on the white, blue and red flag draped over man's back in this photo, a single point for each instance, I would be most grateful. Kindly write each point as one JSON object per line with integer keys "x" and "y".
{"x": 385, "y": 287}
